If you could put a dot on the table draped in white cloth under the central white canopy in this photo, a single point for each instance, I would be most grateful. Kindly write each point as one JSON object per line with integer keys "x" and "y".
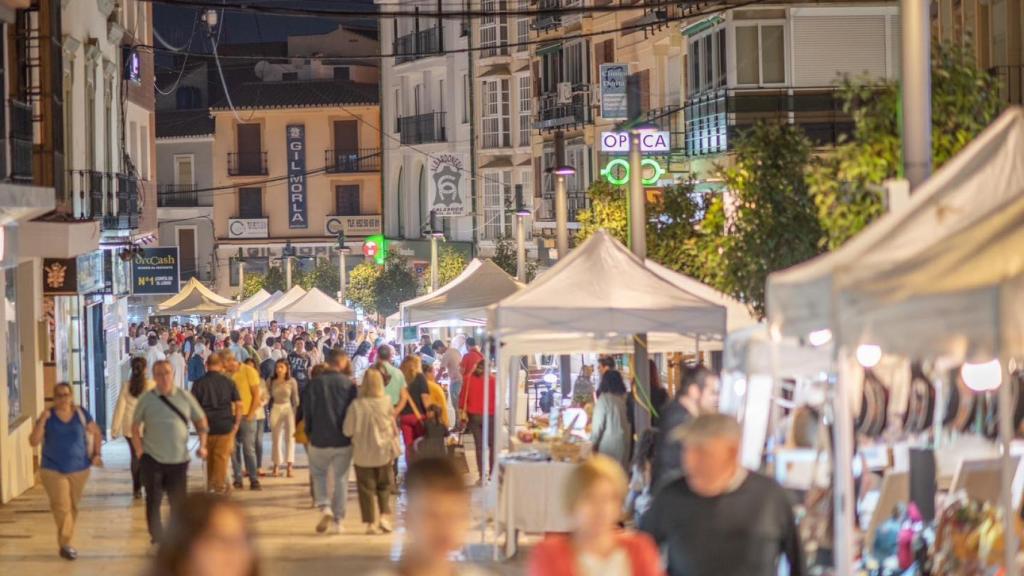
{"x": 532, "y": 499}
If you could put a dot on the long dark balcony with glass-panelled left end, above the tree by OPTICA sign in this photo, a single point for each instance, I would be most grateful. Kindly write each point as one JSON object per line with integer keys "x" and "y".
{"x": 713, "y": 120}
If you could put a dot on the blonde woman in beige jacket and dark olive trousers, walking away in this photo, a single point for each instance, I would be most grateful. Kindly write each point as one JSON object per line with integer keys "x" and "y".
{"x": 370, "y": 423}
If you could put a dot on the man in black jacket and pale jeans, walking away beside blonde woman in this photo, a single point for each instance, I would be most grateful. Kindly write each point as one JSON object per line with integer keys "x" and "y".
{"x": 325, "y": 401}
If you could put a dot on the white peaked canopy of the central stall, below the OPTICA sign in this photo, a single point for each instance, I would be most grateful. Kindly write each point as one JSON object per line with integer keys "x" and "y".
{"x": 595, "y": 300}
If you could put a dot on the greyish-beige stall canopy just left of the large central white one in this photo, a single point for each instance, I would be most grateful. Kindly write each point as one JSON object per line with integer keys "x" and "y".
{"x": 466, "y": 299}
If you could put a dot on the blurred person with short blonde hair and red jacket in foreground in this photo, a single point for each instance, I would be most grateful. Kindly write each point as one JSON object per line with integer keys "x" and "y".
{"x": 598, "y": 547}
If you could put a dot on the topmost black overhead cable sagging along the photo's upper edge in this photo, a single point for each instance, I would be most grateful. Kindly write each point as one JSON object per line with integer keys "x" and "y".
{"x": 456, "y": 15}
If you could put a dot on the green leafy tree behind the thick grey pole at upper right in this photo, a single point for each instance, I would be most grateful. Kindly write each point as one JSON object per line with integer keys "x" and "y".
{"x": 847, "y": 186}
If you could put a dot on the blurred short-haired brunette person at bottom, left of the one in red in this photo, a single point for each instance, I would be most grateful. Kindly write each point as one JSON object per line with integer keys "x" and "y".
{"x": 438, "y": 521}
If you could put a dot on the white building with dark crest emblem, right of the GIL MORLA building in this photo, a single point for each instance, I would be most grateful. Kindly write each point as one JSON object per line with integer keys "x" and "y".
{"x": 428, "y": 107}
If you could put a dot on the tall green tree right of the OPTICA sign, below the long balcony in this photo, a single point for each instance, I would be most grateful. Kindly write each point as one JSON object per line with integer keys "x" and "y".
{"x": 771, "y": 222}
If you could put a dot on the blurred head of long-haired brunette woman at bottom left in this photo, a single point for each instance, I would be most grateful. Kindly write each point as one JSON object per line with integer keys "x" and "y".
{"x": 209, "y": 536}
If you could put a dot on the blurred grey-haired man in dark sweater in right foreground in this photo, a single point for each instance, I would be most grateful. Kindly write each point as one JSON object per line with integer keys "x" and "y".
{"x": 721, "y": 520}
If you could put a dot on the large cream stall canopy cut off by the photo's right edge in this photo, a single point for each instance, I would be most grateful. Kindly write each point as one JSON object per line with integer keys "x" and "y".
{"x": 936, "y": 276}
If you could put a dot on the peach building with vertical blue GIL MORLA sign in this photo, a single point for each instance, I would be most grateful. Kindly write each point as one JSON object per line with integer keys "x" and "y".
{"x": 296, "y": 161}
